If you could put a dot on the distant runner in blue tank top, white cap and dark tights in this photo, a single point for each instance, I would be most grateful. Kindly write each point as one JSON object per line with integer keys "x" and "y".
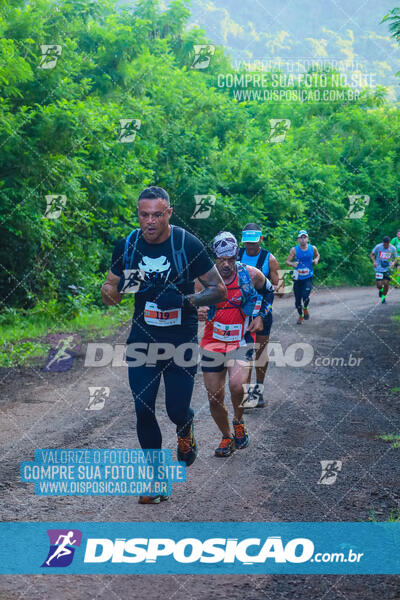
{"x": 302, "y": 257}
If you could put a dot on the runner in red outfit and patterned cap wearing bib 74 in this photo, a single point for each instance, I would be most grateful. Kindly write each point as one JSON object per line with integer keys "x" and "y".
{"x": 229, "y": 337}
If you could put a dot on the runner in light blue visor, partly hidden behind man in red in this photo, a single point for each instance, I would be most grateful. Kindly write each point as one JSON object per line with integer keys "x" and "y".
{"x": 254, "y": 255}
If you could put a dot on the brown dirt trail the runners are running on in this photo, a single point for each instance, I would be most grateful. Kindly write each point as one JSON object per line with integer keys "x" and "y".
{"x": 321, "y": 411}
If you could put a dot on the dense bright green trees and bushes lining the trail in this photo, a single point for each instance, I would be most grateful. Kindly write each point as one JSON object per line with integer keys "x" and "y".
{"x": 59, "y": 131}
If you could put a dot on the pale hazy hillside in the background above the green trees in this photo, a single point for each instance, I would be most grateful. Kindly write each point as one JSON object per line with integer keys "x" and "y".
{"x": 337, "y": 30}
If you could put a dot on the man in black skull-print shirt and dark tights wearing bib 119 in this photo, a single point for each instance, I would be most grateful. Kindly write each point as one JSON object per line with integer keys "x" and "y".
{"x": 159, "y": 263}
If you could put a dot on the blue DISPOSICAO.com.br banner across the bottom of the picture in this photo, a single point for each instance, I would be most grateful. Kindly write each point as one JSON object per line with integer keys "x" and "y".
{"x": 200, "y": 548}
